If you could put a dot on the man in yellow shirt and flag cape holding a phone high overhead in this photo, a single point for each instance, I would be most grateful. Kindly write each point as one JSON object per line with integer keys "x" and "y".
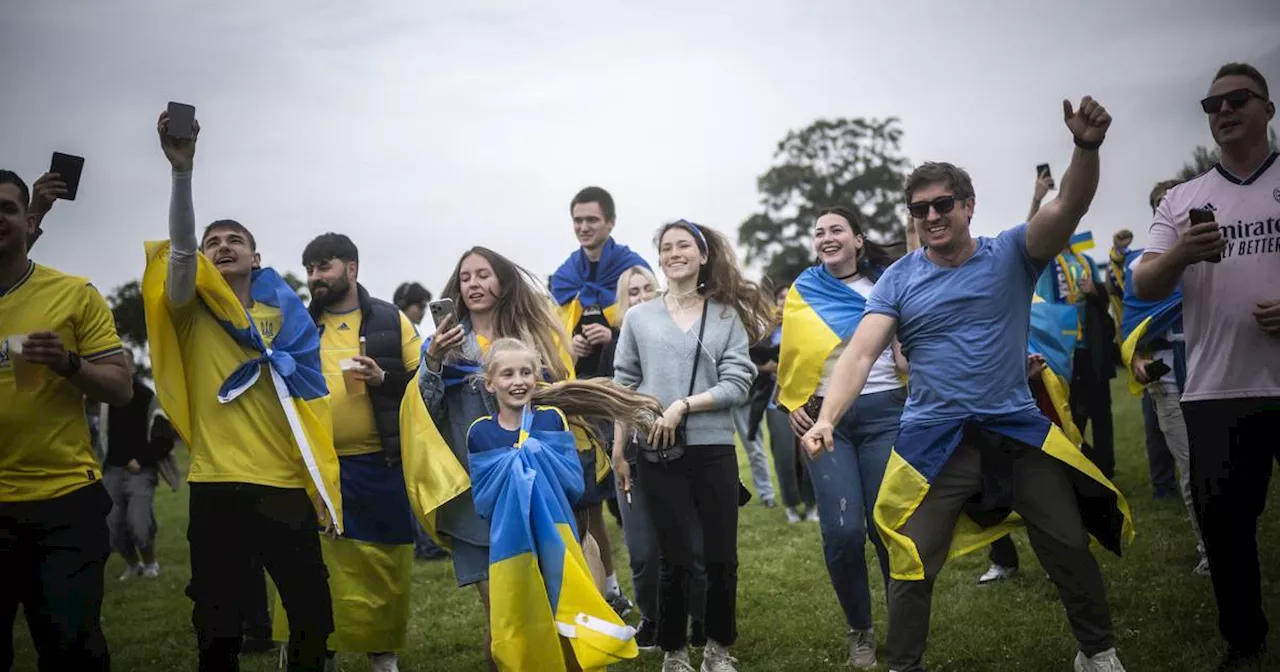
{"x": 236, "y": 360}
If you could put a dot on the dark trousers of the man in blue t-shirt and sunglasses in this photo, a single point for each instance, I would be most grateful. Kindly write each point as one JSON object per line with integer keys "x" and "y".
{"x": 1044, "y": 497}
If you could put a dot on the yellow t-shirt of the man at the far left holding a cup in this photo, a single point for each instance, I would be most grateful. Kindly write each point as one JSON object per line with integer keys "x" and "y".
{"x": 47, "y": 450}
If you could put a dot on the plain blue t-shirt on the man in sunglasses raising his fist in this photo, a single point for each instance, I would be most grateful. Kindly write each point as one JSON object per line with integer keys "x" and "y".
{"x": 964, "y": 331}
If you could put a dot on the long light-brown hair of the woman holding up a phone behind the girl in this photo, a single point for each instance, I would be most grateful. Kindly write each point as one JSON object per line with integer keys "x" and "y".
{"x": 523, "y": 312}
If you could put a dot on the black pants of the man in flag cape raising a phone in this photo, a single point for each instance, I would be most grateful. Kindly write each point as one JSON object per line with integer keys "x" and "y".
{"x": 234, "y": 524}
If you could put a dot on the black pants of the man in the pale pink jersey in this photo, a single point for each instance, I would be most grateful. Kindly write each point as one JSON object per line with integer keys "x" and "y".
{"x": 1233, "y": 445}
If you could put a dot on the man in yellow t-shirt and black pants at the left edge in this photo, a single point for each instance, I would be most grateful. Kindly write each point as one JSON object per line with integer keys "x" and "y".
{"x": 58, "y": 345}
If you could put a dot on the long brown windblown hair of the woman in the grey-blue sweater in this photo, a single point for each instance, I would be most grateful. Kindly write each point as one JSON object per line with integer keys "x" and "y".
{"x": 723, "y": 281}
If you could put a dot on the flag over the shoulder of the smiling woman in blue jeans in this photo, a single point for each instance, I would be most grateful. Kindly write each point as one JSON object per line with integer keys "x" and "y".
{"x": 821, "y": 313}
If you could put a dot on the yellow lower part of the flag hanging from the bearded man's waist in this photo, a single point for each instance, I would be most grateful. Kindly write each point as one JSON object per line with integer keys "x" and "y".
{"x": 371, "y": 589}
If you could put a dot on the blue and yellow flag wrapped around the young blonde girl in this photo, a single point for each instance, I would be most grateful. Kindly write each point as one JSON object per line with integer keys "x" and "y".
{"x": 540, "y": 579}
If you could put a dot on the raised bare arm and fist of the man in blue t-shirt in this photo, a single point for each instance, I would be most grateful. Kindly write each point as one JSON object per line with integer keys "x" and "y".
{"x": 1052, "y": 228}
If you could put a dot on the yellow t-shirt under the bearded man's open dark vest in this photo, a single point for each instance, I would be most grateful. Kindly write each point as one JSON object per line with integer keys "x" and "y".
{"x": 354, "y": 429}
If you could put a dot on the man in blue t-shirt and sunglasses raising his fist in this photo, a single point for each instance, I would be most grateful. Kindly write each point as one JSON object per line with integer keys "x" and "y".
{"x": 961, "y": 307}
